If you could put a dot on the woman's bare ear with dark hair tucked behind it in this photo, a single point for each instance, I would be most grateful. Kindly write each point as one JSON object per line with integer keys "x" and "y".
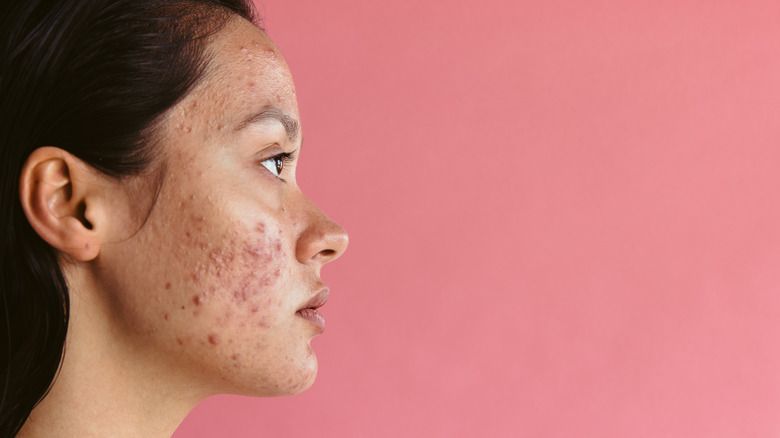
{"x": 62, "y": 199}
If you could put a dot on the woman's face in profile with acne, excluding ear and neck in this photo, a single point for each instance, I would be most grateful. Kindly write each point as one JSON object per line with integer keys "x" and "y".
{"x": 218, "y": 285}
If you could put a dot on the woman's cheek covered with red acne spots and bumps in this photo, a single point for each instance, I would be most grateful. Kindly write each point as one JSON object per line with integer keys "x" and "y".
{"x": 230, "y": 283}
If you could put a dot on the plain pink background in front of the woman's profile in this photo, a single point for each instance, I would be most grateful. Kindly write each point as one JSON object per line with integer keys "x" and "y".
{"x": 565, "y": 219}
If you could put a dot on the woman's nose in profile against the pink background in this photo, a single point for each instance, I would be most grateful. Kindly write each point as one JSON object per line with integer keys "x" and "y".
{"x": 322, "y": 240}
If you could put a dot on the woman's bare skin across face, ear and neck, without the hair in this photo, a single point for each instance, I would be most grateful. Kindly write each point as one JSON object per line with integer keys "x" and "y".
{"x": 195, "y": 291}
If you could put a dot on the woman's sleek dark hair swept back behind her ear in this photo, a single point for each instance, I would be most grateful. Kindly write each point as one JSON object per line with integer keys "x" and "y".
{"x": 92, "y": 77}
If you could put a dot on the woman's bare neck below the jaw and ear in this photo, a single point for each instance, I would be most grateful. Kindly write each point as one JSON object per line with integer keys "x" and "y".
{"x": 106, "y": 387}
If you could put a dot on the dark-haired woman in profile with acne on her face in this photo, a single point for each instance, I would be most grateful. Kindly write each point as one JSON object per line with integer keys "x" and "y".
{"x": 156, "y": 247}
